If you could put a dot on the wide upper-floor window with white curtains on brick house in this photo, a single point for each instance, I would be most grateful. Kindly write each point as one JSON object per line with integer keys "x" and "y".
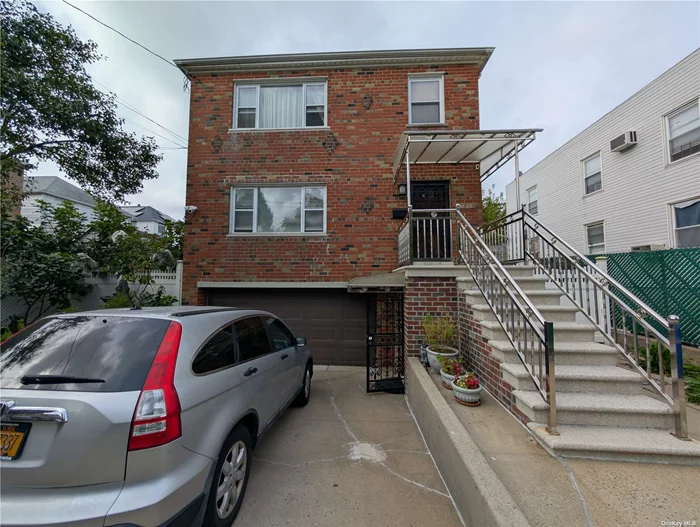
{"x": 280, "y": 105}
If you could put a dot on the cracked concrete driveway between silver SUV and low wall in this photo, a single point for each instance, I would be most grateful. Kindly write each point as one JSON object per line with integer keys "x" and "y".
{"x": 348, "y": 458}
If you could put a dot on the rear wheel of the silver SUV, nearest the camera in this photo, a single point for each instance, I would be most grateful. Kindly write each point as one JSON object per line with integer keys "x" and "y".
{"x": 229, "y": 483}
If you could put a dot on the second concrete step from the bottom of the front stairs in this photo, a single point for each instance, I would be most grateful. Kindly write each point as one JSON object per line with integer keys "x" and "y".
{"x": 592, "y": 409}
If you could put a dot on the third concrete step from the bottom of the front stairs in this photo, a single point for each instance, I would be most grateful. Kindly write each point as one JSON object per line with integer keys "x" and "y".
{"x": 579, "y": 379}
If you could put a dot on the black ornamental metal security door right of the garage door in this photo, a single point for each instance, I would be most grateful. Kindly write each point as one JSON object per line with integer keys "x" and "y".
{"x": 385, "y": 368}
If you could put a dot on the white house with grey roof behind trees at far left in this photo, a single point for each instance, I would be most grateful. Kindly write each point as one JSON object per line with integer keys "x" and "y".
{"x": 55, "y": 191}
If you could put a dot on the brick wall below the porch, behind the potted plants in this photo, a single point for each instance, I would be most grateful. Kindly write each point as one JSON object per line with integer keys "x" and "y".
{"x": 435, "y": 296}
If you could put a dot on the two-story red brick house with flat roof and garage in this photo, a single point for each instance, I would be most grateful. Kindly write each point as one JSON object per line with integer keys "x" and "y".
{"x": 293, "y": 169}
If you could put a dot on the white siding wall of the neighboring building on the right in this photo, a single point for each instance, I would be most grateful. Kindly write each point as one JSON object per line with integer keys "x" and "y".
{"x": 638, "y": 184}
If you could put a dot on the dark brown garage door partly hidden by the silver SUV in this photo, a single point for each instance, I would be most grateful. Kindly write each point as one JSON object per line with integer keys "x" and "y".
{"x": 332, "y": 320}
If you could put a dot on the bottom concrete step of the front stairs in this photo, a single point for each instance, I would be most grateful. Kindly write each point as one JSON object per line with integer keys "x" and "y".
{"x": 645, "y": 445}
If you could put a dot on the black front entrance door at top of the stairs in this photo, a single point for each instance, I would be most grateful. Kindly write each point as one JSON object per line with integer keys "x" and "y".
{"x": 432, "y": 231}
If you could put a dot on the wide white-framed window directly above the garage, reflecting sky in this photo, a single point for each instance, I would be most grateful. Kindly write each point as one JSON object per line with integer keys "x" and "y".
{"x": 278, "y": 209}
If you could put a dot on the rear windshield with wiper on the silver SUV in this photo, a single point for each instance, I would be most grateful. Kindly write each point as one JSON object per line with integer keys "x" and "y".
{"x": 118, "y": 350}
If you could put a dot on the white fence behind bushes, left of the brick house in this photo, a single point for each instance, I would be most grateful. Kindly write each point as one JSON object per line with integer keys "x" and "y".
{"x": 101, "y": 287}
